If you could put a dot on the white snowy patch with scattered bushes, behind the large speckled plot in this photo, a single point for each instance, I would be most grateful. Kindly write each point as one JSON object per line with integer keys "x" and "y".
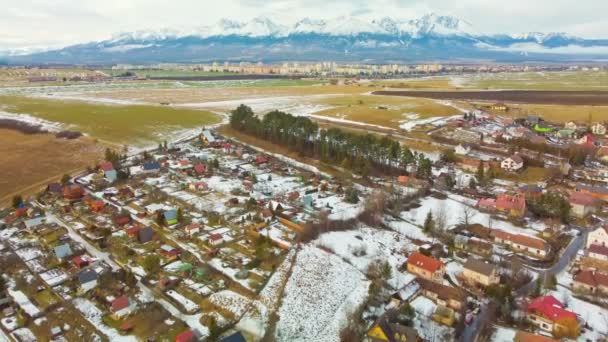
{"x": 363, "y": 246}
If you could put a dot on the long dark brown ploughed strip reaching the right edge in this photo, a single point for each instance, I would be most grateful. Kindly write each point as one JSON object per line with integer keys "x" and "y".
{"x": 592, "y": 98}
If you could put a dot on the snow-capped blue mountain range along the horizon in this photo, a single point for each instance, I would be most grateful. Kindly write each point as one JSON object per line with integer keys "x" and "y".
{"x": 430, "y": 37}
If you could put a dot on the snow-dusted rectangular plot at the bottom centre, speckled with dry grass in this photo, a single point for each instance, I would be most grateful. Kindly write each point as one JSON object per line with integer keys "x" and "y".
{"x": 321, "y": 294}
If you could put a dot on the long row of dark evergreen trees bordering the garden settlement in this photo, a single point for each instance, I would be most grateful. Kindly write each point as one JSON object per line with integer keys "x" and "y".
{"x": 361, "y": 153}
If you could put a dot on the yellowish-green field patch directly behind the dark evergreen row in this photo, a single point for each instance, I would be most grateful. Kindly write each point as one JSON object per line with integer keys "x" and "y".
{"x": 383, "y": 110}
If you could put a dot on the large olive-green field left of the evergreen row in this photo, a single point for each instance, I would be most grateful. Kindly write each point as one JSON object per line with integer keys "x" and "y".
{"x": 137, "y": 125}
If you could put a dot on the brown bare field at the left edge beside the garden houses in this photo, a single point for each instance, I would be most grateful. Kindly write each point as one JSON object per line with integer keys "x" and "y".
{"x": 31, "y": 161}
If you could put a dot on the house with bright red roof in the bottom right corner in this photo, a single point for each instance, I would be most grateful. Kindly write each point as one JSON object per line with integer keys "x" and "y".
{"x": 549, "y": 314}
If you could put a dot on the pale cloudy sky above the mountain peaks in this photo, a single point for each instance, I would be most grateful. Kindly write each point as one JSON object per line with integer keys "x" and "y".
{"x": 55, "y": 23}
